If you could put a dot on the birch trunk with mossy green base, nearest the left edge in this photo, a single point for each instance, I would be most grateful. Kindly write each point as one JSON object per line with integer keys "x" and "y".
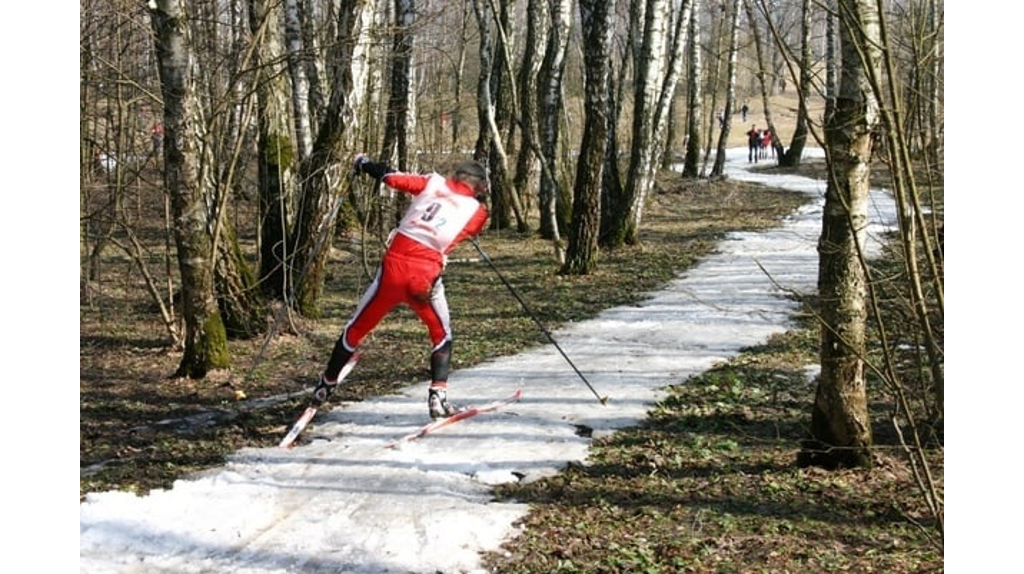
{"x": 192, "y": 192}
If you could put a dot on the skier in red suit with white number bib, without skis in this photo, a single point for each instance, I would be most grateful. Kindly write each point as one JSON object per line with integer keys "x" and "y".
{"x": 443, "y": 213}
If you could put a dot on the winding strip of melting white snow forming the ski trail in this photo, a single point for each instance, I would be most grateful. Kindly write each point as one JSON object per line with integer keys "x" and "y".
{"x": 346, "y": 504}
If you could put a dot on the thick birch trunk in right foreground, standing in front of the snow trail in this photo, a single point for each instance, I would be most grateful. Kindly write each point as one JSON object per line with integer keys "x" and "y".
{"x": 841, "y": 433}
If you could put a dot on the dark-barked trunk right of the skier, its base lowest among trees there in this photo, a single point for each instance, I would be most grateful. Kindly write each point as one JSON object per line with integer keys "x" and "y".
{"x": 596, "y": 19}
